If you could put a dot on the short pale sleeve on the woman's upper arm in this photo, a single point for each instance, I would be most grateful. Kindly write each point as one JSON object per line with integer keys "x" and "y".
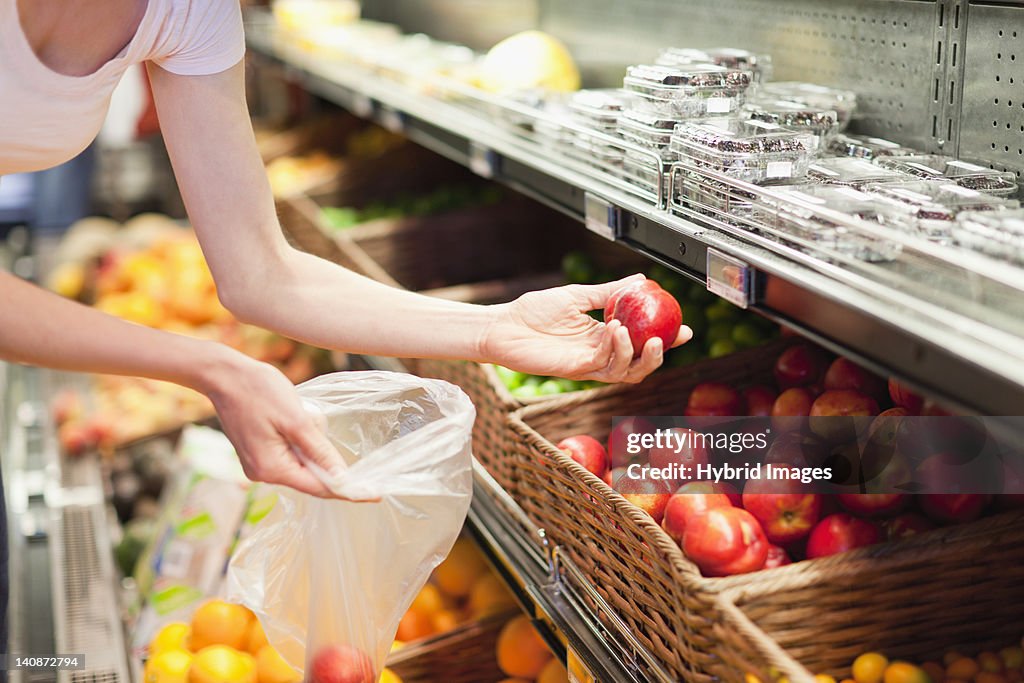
{"x": 210, "y": 38}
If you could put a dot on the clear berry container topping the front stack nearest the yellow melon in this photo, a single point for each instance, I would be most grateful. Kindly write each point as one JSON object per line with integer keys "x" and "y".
{"x": 689, "y": 92}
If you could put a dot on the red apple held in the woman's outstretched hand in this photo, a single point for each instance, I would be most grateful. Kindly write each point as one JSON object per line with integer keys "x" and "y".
{"x": 648, "y": 312}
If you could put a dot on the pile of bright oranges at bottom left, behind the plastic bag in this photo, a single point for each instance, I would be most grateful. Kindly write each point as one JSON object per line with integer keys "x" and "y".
{"x": 225, "y": 644}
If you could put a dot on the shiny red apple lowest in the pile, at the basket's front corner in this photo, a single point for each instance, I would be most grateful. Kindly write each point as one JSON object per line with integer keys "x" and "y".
{"x": 726, "y": 541}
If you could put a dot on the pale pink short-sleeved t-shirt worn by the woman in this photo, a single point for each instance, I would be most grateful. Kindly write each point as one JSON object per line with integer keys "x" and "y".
{"x": 48, "y": 118}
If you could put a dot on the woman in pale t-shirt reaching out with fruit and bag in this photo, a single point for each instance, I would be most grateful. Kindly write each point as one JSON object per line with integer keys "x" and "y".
{"x": 60, "y": 61}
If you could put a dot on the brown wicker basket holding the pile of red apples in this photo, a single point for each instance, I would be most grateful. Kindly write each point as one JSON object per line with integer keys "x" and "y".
{"x": 961, "y": 584}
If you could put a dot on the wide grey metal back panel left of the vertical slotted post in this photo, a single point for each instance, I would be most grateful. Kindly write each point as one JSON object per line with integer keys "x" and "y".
{"x": 884, "y": 51}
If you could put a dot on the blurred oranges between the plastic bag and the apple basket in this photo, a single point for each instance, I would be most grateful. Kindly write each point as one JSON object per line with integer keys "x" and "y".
{"x": 461, "y": 589}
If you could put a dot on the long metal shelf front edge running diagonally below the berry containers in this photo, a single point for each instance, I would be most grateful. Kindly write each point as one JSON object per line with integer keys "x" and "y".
{"x": 966, "y": 363}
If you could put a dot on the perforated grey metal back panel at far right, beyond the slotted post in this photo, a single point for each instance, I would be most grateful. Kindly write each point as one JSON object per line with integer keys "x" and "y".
{"x": 993, "y": 119}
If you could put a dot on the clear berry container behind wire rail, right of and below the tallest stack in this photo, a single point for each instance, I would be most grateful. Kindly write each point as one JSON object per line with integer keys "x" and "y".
{"x": 752, "y": 151}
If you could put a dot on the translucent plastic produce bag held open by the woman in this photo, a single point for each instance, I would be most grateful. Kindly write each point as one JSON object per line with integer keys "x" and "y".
{"x": 329, "y": 576}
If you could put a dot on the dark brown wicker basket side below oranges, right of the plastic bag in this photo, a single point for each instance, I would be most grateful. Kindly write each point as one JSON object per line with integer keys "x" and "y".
{"x": 463, "y": 656}
